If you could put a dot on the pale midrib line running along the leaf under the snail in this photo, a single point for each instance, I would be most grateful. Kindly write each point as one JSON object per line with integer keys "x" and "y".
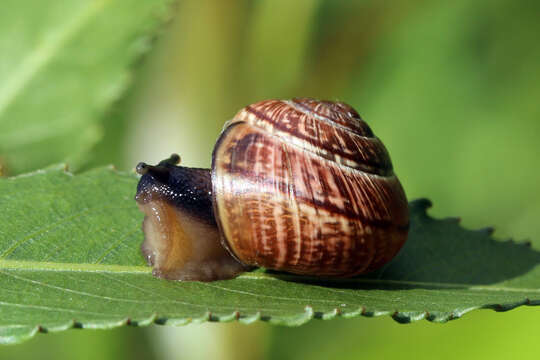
{"x": 115, "y": 269}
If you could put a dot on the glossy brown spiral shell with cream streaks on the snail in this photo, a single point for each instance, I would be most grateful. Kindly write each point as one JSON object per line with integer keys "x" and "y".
{"x": 305, "y": 187}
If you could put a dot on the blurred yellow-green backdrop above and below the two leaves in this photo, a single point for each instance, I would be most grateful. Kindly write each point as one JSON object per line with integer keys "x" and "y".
{"x": 453, "y": 90}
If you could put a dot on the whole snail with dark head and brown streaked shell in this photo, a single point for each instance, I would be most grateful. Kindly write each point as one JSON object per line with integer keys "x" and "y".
{"x": 301, "y": 186}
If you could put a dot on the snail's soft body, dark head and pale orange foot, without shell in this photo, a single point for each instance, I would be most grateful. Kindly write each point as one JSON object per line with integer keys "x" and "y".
{"x": 182, "y": 241}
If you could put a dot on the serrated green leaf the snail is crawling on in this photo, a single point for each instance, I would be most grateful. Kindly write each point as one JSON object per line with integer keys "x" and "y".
{"x": 69, "y": 257}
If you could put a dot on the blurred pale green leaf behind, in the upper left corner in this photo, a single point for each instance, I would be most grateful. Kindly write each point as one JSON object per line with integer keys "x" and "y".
{"x": 61, "y": 68}
